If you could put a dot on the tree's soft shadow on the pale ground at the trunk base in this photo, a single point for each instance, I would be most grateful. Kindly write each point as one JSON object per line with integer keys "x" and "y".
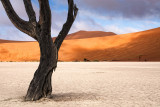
{"x": 58, "y": 97}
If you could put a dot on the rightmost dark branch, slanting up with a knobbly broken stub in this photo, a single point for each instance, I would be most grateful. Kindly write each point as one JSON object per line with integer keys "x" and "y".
{"x": 72, "y": 13}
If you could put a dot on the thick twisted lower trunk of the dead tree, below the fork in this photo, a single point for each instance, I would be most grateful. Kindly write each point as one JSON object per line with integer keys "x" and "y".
{"x": 40, "y": 85}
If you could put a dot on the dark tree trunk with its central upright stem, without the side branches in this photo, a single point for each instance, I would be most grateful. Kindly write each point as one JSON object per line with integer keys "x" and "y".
{"x": 40, "y": 85}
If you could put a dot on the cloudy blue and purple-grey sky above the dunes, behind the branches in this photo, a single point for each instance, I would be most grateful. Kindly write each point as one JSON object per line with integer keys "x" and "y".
{"x": 118, "y": 16}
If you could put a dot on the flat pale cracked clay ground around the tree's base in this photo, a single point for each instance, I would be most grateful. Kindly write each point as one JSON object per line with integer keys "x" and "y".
{"x": 79, "y": 84}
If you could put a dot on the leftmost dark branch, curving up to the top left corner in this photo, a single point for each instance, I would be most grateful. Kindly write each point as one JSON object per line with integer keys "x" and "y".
{"x": 19, "y": 23}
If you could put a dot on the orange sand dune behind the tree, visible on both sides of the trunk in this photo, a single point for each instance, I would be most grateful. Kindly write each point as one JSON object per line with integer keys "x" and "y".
{"x": 143, "y": 46}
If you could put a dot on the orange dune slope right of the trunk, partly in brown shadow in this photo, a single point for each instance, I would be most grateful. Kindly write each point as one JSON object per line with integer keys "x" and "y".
{"x": 127, "y": 47}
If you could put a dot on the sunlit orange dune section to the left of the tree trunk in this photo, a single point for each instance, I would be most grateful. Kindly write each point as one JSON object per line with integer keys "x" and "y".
{"x": 22, "y": 51}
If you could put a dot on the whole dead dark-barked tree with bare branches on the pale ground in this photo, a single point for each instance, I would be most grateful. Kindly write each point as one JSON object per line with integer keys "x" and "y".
{"x": 40, "y": 85}
